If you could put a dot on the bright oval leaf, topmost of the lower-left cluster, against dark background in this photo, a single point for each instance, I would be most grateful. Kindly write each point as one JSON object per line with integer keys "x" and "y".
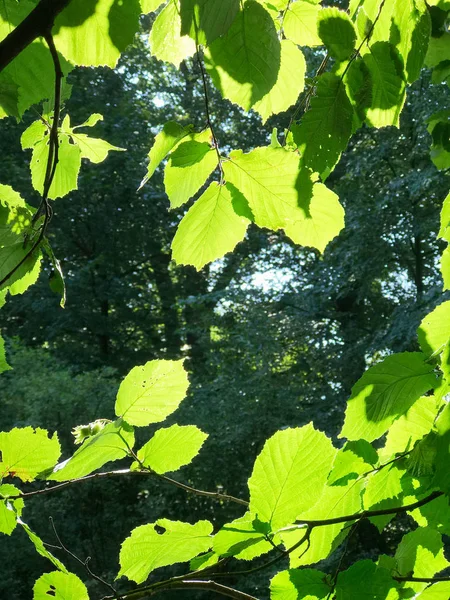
{"x": 152, "y": 392}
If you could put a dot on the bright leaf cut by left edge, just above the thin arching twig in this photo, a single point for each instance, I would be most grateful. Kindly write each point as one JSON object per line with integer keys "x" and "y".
{"x": 27, "y": 452}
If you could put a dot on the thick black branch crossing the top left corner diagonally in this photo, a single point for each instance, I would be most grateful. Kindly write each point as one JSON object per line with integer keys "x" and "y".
{"x": 36, "y": 24}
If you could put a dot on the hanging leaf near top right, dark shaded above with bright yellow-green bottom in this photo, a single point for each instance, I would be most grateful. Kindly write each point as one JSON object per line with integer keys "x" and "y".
{"x": 388, "y": 86}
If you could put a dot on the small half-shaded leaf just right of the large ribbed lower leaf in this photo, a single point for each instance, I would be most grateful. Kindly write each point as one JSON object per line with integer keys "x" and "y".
{"x": 355, "y": 458}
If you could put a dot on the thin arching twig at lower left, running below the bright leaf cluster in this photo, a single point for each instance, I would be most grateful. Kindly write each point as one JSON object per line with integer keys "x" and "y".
{"x": 120, "y": 472}
